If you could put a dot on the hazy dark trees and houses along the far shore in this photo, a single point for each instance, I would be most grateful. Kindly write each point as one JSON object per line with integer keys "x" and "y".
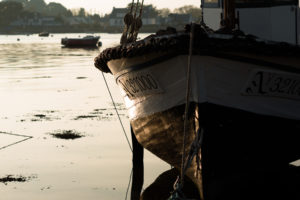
{"x": 12, "y": 11}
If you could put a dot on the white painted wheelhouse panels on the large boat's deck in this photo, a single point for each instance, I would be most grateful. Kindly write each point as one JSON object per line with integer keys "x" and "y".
{"x": 276, "y": 23}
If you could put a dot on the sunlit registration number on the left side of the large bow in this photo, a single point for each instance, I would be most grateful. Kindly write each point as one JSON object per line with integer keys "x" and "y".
{"x": 138, "y": 84}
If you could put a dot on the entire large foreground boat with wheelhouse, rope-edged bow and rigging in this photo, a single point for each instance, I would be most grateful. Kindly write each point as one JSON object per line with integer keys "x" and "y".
{"x": 220, "y": 104}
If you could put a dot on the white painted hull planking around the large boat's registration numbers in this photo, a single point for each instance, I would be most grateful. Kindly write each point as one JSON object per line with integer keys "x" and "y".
{"x": 214, "y": 80}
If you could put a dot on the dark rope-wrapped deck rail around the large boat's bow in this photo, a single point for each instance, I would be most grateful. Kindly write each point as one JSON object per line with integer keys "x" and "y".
{"x": 206, "y": 42}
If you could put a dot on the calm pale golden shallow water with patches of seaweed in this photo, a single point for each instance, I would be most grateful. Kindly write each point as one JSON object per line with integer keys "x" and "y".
{"x": 45, "y": 88}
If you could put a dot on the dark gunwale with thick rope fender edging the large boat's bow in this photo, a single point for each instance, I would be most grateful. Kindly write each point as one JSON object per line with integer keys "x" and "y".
{"x": 207, "y": 45}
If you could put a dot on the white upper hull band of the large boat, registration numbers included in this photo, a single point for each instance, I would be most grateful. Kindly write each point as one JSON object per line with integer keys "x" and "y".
{"x": 214, "y": 80}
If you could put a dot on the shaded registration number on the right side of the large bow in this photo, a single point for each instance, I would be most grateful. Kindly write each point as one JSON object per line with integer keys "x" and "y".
{"x": 271, "y": 83}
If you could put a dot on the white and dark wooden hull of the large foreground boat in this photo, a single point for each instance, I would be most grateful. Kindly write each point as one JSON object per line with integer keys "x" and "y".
{"x": 249, "y": 111}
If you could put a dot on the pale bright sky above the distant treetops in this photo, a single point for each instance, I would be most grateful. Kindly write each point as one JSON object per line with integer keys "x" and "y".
{"x": 106, "y": 6}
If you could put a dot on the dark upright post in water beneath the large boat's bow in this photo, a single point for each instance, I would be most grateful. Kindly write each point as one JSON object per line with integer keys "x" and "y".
{"x": 137, "y": 169}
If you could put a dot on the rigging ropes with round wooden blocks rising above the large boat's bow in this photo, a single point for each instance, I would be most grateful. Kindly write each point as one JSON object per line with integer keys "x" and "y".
{"x": 133, "y": 23}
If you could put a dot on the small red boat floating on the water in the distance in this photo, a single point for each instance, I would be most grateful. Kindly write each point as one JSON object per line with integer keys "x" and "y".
{"x": 87, "y": 41}
